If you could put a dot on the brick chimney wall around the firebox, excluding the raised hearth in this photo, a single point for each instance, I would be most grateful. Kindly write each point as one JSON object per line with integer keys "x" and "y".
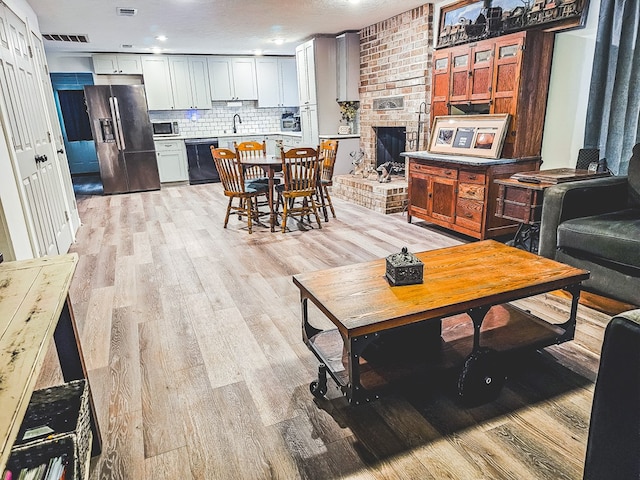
{"x": 395, "y": 61}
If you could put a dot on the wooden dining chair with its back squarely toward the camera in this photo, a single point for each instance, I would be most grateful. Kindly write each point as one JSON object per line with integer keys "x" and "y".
{"x": 301, "y": 170}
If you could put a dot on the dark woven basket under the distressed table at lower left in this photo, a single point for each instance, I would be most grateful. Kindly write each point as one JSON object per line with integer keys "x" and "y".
{"x": 55, "y": 424}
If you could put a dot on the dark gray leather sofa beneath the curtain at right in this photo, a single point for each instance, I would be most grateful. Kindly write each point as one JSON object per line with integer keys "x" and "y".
{"x": 595, "y": 224}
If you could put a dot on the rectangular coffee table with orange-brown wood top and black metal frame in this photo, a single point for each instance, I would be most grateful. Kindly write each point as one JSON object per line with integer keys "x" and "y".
{"x": 469, "y": 279}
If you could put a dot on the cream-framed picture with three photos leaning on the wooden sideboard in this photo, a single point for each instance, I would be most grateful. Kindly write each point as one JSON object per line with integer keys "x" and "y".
{"x": 473, "y": 135}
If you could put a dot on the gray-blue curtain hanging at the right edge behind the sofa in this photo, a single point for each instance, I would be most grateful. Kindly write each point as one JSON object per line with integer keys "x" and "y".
{"x": 613, "y": 113}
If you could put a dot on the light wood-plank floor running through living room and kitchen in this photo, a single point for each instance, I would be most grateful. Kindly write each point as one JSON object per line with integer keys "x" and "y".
{"x": 191, "y": 334}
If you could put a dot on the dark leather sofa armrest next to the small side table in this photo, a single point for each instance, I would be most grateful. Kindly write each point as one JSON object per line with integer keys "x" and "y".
{"x": 578, "y": 199}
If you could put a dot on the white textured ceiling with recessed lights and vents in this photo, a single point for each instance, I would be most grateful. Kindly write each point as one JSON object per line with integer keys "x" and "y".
{"x": 206, "y": 26}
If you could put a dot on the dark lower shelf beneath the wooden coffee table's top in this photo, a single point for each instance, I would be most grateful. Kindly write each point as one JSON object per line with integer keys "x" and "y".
{"x": 505, "y": 328}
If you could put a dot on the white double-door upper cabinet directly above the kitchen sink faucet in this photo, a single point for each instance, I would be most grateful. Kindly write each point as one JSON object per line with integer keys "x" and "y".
{"x": 232, "y": 78}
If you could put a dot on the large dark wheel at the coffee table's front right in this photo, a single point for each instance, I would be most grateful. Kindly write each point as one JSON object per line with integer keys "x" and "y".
{"x": 482, "y": 377}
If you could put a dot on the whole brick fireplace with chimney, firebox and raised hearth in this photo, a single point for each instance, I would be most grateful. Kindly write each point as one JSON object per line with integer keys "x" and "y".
{"x": 395, "y": 61}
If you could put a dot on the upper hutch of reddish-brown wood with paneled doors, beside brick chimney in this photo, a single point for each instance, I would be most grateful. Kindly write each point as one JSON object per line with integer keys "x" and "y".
{"x": 507, "y": 74}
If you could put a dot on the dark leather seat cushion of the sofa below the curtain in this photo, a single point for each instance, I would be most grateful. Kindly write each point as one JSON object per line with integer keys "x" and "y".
{"x": 612, "y": 236}
